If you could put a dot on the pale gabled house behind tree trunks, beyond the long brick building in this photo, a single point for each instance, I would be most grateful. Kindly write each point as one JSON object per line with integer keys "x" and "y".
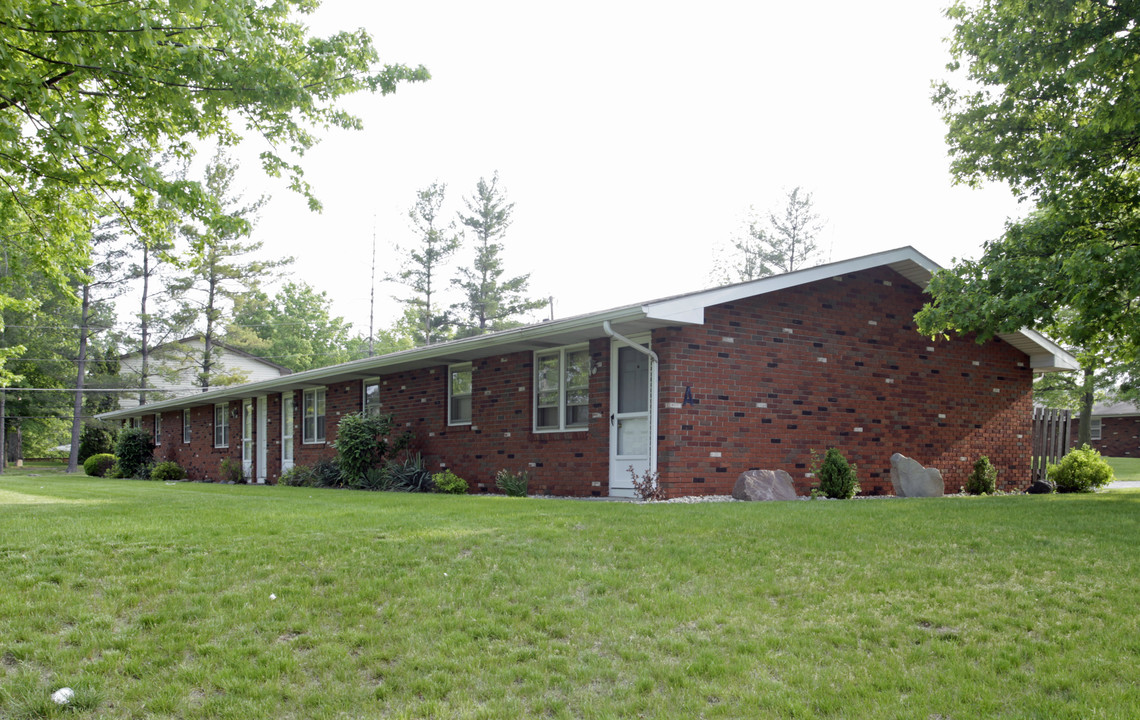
{"x": 174, "y": 369}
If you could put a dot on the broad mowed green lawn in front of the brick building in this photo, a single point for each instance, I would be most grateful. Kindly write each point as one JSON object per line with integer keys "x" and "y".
{"x": 157, "y": 601}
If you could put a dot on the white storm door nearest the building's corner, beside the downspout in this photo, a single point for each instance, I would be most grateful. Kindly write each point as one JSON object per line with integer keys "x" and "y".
{"x": 632, "y": 418}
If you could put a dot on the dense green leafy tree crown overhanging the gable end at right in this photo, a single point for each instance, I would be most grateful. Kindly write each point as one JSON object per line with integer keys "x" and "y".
{"x": 1048, "y": 104}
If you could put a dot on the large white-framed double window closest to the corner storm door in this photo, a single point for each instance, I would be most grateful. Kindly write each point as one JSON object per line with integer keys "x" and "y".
{"x": 563, "y": 389}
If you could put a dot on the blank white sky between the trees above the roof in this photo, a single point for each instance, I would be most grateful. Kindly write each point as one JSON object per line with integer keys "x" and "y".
{"x": 633, "y": 137}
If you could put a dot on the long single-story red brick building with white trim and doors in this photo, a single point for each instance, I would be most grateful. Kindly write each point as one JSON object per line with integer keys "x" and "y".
{"x": 697, "y": 389}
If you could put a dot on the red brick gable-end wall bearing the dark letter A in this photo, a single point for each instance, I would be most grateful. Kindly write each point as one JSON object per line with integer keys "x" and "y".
{"x": 836, "y": 364}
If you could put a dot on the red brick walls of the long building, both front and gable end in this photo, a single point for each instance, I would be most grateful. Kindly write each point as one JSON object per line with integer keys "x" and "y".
{"x": 837, "y": 364}
